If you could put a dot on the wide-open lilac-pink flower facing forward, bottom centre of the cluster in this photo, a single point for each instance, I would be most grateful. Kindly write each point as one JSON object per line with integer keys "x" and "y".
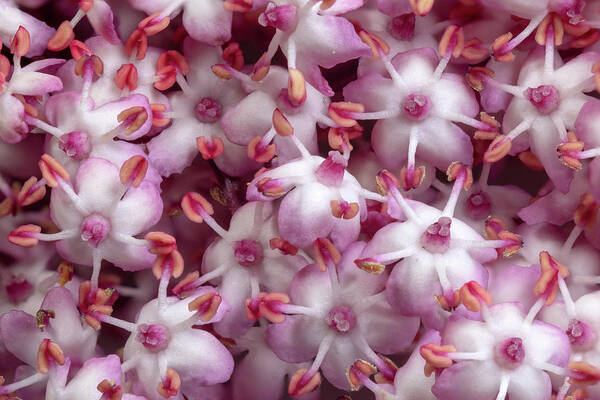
{"x": 338, "y": 315}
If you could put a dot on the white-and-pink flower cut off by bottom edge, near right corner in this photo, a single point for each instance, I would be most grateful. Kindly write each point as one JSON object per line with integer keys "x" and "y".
{"x": 508, "y": 353}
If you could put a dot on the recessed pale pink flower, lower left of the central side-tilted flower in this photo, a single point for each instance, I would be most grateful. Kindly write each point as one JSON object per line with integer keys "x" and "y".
{"x": 247, "y": 259}
